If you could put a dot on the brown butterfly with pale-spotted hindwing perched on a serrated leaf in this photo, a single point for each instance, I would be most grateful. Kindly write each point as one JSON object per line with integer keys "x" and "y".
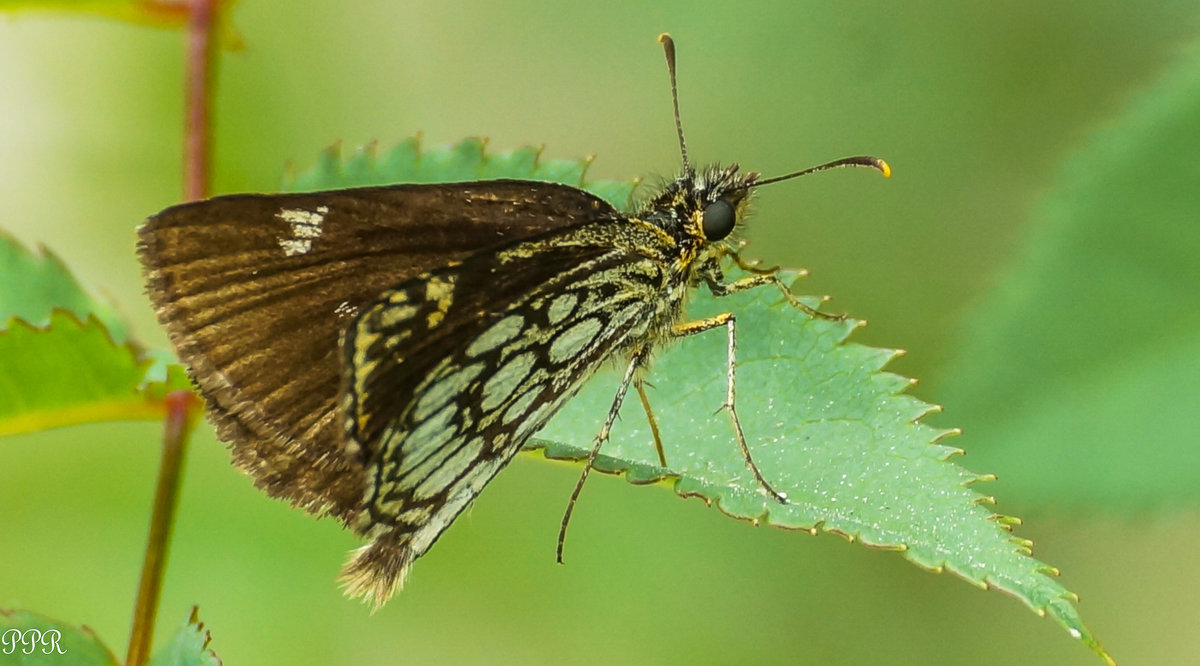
{"x": 379, "y": 355}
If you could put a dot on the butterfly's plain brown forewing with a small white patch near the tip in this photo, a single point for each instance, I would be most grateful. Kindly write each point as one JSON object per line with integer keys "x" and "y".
{"x": 256, "y": 290}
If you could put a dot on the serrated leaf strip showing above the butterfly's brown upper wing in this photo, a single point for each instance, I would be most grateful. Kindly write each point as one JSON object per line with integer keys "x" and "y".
{"x": 466, "y": 160}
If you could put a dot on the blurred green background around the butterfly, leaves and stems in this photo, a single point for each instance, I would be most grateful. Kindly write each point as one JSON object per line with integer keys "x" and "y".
{"x": 975, "y": 105}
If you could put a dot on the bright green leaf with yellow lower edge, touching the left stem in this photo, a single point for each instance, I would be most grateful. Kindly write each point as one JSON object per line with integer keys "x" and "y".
{"x": 71, "y": 373}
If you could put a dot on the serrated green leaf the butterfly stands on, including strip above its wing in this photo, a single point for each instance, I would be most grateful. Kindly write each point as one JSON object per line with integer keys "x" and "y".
{"x": 827, "y": 427}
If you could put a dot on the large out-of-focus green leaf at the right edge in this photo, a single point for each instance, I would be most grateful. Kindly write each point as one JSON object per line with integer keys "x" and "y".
{"x": 1081, "y": 375}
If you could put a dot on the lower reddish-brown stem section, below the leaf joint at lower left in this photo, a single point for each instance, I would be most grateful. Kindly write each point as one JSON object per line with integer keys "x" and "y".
{"x": 182, "y": 410}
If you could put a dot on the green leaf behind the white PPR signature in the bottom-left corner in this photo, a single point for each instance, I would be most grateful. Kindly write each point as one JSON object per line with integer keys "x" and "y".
{"x": 28, "y": 639}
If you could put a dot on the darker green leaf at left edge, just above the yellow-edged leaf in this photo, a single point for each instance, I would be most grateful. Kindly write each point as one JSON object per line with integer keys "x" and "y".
{"x": 38, "y": 284}
